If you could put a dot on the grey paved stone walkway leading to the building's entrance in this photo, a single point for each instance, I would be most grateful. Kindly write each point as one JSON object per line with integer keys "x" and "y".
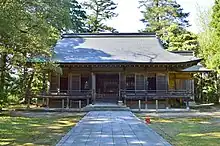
{"x": 111, "y": 128}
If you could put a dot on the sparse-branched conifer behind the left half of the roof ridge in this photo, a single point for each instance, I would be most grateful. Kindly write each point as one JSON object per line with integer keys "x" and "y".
{"x": 99, "y": 11}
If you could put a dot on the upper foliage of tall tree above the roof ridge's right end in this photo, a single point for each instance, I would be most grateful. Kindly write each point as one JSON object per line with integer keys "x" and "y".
{"x": 160, "y": 14}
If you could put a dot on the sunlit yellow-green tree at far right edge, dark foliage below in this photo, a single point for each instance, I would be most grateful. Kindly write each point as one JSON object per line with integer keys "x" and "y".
{"x": 209, "y": 50}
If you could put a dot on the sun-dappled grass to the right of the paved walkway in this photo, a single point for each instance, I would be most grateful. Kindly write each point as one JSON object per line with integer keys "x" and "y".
{"x": 188, "y": 131}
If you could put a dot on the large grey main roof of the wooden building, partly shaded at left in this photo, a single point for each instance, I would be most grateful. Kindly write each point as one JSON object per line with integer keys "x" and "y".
{"x": 120, "y": 48}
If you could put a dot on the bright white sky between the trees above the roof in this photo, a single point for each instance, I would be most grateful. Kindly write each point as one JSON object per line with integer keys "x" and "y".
{"x": 129, "y": 16}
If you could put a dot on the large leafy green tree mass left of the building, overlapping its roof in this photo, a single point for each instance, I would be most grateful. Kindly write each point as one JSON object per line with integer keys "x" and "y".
{"x": 28, "y": 30}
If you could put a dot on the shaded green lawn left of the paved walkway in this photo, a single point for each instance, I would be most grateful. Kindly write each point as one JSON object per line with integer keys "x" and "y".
{"x": 42, "y": 131}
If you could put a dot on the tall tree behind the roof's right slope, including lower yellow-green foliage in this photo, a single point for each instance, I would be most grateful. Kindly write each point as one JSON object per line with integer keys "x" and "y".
{"x": 167, "y": 19}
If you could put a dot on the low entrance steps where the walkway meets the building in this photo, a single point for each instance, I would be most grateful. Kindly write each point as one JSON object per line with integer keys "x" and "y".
{"x": 105, "y": 107}
